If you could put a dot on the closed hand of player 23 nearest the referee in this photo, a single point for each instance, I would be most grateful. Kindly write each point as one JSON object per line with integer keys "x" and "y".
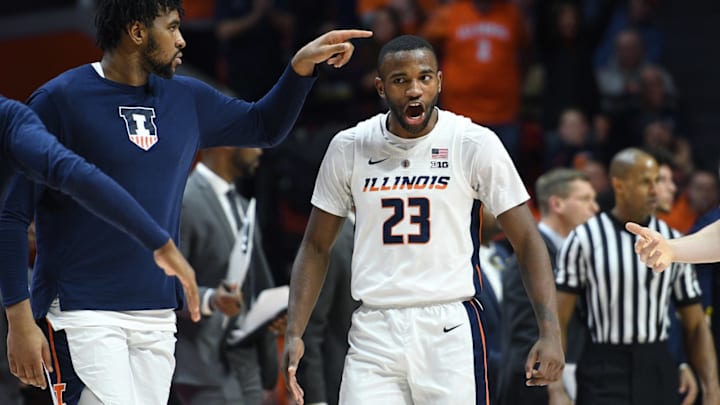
{"x": 545, "y": 362}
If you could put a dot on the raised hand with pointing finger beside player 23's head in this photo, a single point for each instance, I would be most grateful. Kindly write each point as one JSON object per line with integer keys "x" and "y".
{"x": 333, "y": 47}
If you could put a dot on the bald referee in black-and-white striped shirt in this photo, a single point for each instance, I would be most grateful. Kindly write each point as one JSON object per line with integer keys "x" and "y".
{"x": 627, "y": 361}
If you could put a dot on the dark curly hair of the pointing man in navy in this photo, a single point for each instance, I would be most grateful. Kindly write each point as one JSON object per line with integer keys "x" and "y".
{"x": 112, "y": 17}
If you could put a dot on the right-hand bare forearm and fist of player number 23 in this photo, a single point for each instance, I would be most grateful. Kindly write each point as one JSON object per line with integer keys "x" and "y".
{"x": 521, "y": 230}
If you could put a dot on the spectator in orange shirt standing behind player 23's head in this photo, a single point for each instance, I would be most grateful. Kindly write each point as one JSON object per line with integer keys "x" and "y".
{"x": 485, "y": 37}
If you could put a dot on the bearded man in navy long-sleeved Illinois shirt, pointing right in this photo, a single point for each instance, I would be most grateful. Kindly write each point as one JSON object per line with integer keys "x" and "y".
{"x": 107, "y": 309}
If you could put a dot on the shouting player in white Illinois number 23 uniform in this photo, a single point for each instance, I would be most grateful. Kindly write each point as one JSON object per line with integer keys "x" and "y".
{"x": 412, "y": 175}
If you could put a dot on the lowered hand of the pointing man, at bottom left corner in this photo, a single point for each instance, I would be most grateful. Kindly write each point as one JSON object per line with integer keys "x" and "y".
{"x": 27, "y": 347}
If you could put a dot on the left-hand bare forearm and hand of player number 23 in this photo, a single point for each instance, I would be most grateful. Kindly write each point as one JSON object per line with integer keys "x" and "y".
{"x": 308, "y": 275}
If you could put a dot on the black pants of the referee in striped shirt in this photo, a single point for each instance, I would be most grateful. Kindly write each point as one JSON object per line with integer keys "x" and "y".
{"x": 641, "y": 374}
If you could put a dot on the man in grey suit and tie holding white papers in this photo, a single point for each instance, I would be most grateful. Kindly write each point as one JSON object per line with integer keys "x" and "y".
{"x": 218, "y": 362}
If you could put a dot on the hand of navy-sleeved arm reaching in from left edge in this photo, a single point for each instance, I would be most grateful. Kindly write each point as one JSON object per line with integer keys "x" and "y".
{"x": 173, "y": 263}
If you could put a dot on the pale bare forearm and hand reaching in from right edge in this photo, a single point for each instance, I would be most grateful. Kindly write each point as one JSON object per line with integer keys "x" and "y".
{"x": 658, "y": 252}
